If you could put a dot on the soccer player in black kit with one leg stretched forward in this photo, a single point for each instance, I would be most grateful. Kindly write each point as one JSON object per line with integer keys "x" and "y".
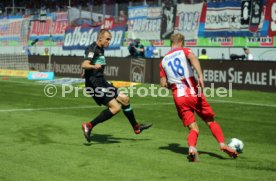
{"x": 103, "y": 92}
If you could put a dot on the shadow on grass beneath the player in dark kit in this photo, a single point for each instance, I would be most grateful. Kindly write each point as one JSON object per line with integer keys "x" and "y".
{"x": 108, "y": 139}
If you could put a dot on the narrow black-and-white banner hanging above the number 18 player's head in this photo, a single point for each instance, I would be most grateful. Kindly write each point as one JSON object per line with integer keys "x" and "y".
{"x": 168, "y": 21}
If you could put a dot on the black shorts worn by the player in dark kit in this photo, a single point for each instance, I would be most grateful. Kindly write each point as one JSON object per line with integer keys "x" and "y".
{"x": 101, "y": 90}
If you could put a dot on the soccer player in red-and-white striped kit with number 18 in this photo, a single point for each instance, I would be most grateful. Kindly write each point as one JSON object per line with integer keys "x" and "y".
{"x": 177, "y": 74}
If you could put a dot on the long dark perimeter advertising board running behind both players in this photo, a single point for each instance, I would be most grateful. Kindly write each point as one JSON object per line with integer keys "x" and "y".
{"x": 256, "y": 75}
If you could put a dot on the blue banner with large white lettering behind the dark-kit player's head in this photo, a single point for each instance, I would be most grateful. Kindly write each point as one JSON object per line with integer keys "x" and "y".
{"x": 78, "y": 38}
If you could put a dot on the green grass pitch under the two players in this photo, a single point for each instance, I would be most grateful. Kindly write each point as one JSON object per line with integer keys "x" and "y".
{"x": 41, "y": 139}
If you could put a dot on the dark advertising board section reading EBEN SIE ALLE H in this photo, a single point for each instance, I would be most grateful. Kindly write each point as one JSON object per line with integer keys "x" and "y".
{"x": 254, "y": 76}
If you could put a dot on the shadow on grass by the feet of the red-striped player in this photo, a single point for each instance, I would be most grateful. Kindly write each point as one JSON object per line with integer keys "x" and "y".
{"x": 175, "y": 147}
